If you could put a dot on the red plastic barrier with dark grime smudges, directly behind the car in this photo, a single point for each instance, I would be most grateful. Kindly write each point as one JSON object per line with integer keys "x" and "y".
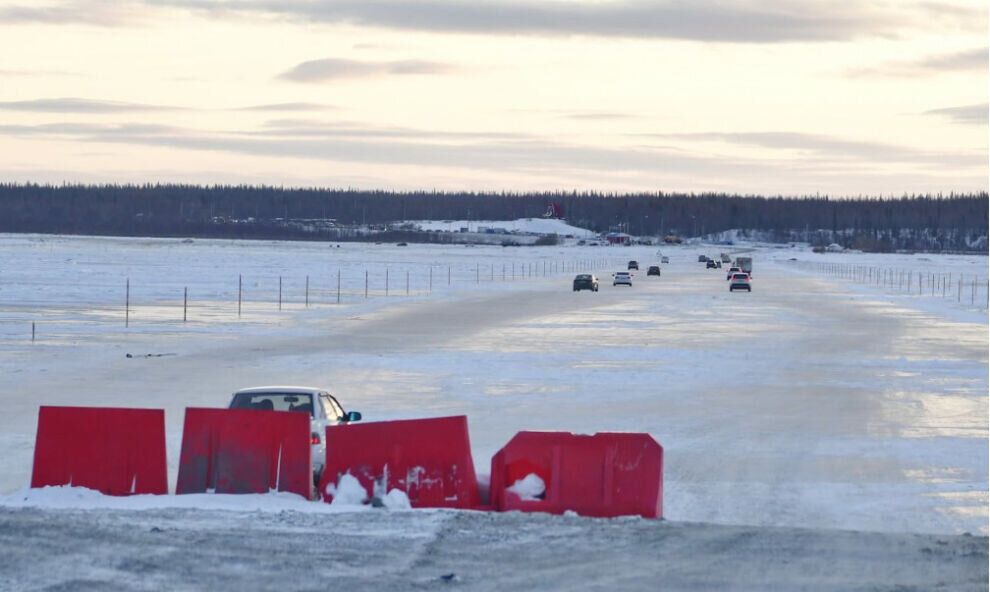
{"x": 245, "y": 451}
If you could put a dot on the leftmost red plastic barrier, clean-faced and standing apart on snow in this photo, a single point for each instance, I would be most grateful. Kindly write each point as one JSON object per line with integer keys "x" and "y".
{"x": 115, "y": 451}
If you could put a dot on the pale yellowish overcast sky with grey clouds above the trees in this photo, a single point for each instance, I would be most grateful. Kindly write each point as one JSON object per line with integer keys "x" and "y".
{"x": 775, "y": 97}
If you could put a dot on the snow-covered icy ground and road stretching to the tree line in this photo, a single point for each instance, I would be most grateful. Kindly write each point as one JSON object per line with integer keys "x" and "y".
{"x": 816, "y": 401}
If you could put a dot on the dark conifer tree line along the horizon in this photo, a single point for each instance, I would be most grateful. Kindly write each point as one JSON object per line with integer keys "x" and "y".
{"x": 923, "y": 222}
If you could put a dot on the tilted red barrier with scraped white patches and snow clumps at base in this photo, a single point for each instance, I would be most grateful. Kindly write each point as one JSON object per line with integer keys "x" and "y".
{"x": 428, "y": 459}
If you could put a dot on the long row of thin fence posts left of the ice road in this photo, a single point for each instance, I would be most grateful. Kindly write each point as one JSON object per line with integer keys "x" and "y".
{"x": 508, "y": 272}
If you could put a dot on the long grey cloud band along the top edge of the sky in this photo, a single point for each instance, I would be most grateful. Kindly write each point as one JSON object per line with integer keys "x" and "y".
{"x": 700, "y": 20}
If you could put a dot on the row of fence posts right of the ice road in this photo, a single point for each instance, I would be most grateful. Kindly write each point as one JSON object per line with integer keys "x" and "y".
{"x": 903, "y": 280}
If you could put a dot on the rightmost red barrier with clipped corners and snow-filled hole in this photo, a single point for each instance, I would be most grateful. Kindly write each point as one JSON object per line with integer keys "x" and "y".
{"x": 604, "y": 475}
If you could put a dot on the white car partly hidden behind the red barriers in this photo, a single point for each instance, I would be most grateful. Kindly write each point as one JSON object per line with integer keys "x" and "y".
{"x": 323, "y": 409}
